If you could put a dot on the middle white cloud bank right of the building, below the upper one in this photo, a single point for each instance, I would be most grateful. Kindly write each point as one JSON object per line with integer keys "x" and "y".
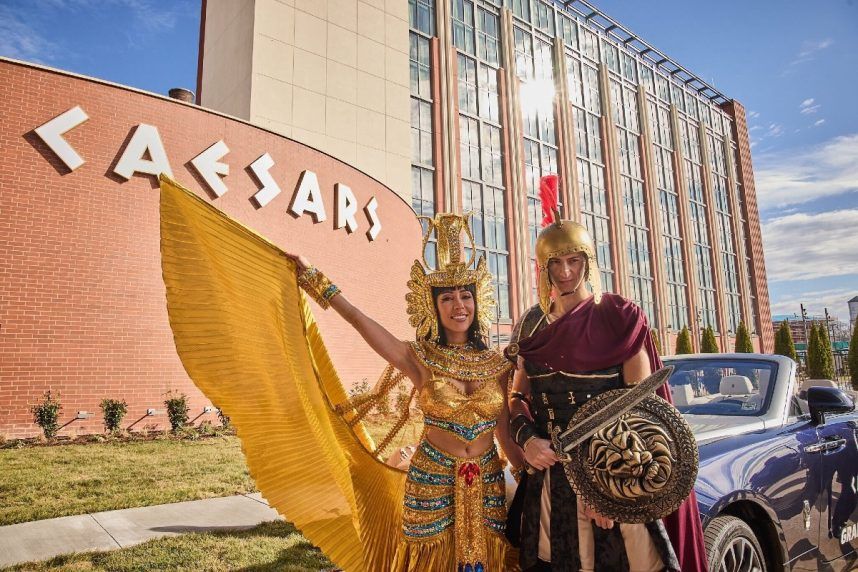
{"x": 804, "y": 246}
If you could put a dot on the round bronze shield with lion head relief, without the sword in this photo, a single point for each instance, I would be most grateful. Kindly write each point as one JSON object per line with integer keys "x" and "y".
{"x": 640, "y": 467}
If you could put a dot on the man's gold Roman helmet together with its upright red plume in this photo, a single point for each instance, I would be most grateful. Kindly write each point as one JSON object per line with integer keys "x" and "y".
{"x": 559, "y": 238}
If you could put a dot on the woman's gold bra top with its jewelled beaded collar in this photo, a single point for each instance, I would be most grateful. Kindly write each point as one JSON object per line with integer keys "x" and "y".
{"x": 445, "y": 405}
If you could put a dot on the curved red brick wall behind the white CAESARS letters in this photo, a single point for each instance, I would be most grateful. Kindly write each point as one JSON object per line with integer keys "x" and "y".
{"x": 82, "y": 307}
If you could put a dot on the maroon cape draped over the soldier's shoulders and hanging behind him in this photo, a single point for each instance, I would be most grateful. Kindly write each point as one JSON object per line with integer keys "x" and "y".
{"x": 599, "y": 336}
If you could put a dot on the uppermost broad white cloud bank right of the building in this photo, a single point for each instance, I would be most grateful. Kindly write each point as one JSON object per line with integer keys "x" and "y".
{"x": 801, "y": 175}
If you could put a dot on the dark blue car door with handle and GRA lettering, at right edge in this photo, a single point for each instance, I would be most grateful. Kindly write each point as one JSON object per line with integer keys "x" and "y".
{"x": 838, "y": 539}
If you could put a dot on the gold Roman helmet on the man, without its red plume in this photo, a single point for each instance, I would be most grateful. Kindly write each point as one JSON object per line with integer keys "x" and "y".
{"x": 560, "y": 238}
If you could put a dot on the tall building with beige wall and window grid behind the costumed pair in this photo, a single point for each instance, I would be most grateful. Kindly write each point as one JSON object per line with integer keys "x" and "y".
{"x": 652, "y": 159}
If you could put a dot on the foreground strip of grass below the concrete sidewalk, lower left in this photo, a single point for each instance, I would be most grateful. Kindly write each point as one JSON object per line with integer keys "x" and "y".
{"x": 269, "y": 546}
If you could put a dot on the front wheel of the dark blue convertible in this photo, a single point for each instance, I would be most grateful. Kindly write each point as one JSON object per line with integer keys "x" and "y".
{"x": 732, "y": 546}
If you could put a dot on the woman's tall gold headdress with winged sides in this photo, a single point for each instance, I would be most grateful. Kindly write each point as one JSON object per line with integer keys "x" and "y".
{"x": 451, "y": 272}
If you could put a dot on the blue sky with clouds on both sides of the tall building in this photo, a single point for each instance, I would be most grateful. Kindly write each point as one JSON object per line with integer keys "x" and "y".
{"x": 794, "y": 65}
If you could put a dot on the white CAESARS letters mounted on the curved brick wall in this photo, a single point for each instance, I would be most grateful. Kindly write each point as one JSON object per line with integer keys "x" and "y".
{"x": 146, "y": 142}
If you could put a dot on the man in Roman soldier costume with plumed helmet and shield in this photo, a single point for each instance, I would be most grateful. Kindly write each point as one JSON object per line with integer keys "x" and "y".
{"x": 575, "y": 345}
